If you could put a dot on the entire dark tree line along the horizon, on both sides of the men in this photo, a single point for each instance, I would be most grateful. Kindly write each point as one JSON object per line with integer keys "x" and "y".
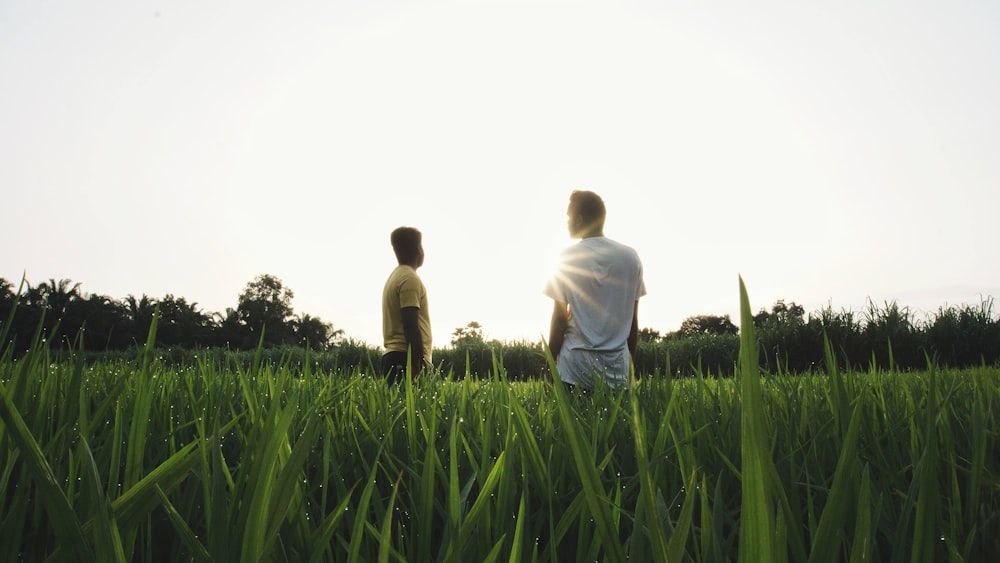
{"x": 888, "y": 336}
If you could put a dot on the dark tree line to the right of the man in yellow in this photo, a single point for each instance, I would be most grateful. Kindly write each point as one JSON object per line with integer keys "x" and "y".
{"x": 879, "y": 337}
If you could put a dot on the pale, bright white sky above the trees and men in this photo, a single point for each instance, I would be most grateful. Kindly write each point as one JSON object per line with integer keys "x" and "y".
{"x": 833, "y": 154}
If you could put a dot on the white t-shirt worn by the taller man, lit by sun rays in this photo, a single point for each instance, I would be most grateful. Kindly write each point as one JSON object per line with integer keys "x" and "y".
{"x": 601, "y": 280}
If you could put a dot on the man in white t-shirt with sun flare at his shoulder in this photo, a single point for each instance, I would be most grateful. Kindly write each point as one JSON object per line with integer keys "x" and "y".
{"x": 595, "y": 292}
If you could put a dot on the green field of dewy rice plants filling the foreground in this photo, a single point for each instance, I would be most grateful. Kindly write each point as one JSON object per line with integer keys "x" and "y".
{"x": 135, "y": 461}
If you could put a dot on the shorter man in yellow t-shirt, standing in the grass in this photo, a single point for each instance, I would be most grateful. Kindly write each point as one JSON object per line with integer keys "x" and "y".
{"x": 406, "y": 324}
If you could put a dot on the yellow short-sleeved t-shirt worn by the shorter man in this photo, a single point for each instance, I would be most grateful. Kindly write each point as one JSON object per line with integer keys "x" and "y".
{"x": 404, "y": 289}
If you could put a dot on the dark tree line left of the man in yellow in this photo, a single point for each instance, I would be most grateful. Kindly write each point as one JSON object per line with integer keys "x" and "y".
{"x": 66, "y": 316}
